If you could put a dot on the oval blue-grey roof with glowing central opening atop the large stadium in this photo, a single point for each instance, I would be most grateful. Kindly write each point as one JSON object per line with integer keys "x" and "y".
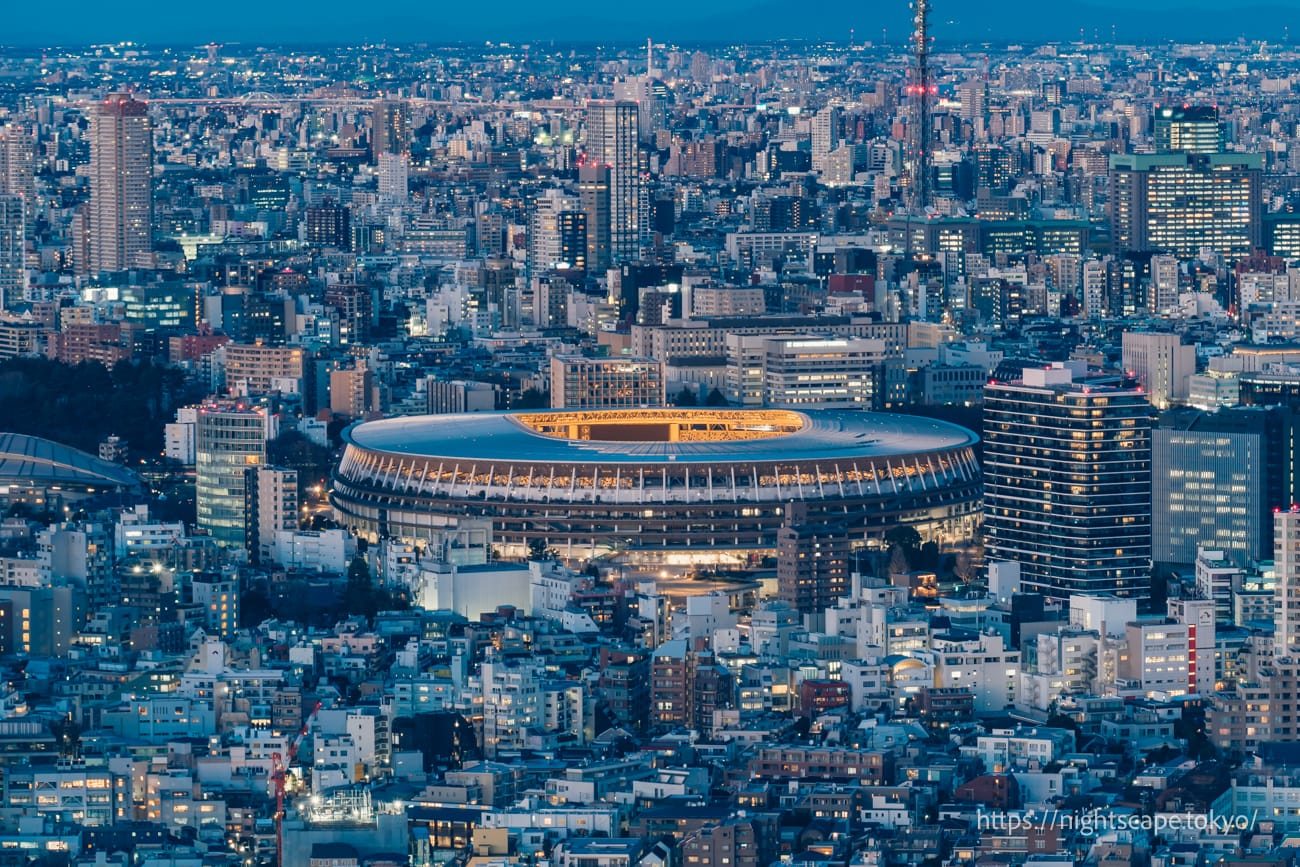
{"x": 642, "y": 436}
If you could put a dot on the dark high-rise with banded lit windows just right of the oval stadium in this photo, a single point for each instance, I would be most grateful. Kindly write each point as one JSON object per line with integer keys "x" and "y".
{"x": 1068, "y": 483}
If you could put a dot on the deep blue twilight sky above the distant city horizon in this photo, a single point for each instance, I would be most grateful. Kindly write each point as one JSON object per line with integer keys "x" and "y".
{"x": 440, "y": 21}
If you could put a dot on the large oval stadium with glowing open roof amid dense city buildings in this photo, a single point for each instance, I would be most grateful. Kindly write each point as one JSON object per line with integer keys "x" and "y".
{"x": 660, "y": 487}
